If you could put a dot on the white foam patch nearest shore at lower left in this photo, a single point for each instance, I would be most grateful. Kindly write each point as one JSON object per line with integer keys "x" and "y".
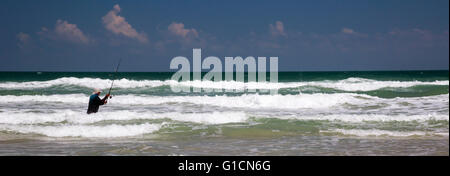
{"x": 84, "y": 130}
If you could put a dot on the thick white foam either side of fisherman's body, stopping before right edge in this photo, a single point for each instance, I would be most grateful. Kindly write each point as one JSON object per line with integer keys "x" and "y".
{"x": 243, "y": 101}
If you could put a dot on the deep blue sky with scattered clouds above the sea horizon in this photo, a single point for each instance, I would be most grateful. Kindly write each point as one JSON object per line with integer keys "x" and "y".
{"x": 319, "y": 35}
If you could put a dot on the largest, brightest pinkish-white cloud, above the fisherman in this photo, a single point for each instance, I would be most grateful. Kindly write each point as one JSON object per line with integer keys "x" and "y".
{"x": 119, "y": 26}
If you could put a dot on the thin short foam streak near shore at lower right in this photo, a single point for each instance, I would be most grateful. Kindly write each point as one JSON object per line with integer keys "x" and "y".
{"x": 379, "y": 133}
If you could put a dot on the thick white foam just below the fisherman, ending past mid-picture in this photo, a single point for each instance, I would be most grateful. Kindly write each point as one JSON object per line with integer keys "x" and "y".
{"x": 74, "y": 117}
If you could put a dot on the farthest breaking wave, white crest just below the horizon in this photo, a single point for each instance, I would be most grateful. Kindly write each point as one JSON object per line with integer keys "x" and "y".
{"x": 349, "y": 84}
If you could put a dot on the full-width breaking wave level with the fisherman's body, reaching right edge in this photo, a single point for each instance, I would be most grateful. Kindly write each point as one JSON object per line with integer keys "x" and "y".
{"x": 252, "y": 101}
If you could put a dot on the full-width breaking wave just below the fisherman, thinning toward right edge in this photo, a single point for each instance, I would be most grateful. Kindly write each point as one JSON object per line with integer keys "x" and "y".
{"x": 214, "y": 118}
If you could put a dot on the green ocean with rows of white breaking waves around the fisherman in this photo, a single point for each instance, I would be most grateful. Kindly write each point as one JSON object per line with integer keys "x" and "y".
{"x": 313, "y": 113}
